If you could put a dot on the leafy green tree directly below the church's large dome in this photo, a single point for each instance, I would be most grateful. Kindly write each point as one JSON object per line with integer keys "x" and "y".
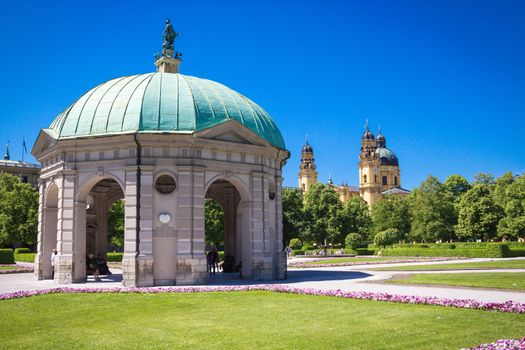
{"x": 391, "y": 212}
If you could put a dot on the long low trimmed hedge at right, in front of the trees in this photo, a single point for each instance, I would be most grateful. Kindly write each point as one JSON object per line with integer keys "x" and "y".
{"x": 491, "y": 250}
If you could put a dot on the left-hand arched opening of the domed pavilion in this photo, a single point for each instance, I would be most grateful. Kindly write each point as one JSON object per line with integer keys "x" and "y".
{"x": 104, "y": 228}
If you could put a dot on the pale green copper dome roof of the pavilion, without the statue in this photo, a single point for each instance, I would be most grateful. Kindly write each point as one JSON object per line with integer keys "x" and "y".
{"x": 161, "y": 102}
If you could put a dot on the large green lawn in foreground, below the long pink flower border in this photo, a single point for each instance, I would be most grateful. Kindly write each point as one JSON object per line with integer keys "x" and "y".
{"x": 243, "y": 320}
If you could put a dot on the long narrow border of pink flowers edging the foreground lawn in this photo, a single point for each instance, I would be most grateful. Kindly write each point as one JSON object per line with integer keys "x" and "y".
{"x": 509, "y": 306}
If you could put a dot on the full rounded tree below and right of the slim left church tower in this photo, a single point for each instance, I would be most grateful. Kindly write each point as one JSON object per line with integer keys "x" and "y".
{"x": 322, "y": 208}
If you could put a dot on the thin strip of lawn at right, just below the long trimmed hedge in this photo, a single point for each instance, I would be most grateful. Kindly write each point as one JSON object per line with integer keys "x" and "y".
{"x": 495, "y": 264}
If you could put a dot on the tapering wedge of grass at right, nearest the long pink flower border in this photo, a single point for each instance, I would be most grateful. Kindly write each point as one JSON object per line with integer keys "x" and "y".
{"x": 505, "y": 280}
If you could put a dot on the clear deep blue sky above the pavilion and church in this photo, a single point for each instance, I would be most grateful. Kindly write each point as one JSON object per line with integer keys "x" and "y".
{"x": 444, "y": 79}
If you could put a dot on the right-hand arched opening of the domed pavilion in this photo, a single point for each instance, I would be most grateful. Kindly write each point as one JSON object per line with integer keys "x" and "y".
{"x": 222, "y": 224}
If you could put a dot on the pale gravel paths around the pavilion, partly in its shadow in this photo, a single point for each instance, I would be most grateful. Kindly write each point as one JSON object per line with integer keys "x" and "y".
{"x": 347, "y": 278}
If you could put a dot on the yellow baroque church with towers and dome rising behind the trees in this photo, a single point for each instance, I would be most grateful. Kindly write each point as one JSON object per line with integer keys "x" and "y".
{"x": 379, "y": 173}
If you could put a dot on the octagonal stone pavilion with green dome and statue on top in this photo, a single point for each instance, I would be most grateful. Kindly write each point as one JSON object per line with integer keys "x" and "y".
{"x": 163, "y": 142}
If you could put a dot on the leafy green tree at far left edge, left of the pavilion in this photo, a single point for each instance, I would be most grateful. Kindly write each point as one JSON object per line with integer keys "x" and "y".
{"x": 18, "y": 212}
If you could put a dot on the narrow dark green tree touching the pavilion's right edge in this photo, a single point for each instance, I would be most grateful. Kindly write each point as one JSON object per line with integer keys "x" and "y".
{"x": 293, "y": 215}
